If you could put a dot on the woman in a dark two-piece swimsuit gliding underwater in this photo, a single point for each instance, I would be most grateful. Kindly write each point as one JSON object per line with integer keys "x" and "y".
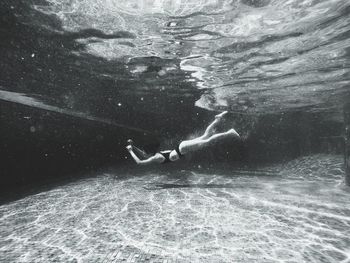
{"x": 209, "y": 137}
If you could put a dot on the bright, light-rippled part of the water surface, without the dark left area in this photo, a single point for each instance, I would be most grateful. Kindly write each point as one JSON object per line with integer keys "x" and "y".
{"x": 248, "y": 56}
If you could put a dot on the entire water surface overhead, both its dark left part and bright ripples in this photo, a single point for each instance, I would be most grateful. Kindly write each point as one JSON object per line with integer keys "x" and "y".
{"x": 119, "y": 59}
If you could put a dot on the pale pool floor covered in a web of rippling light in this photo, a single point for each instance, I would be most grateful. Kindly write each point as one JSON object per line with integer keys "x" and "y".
{"x": 296, "y": 212}
